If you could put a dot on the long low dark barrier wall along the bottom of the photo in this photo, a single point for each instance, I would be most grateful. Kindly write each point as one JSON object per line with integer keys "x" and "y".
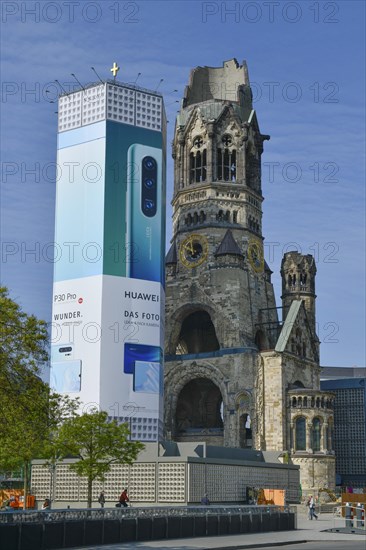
{"x": 48, "y": 535}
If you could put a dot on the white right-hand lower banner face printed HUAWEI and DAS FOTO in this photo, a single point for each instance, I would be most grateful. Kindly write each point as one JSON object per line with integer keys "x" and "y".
{"x": 132, "y": 353}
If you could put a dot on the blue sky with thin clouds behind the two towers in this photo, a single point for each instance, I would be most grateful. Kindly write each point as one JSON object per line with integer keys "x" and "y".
{"x": 306, "y": 65}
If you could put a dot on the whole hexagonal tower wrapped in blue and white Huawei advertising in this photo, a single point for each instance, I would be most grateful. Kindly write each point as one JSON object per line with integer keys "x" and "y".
{"x": 108, "y": 296}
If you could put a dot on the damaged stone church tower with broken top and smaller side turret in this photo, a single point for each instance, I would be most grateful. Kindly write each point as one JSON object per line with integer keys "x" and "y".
{"x": 239, "y": 372}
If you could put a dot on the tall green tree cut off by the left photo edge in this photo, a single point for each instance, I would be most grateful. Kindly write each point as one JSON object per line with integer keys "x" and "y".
{"x": 29, "y": 412}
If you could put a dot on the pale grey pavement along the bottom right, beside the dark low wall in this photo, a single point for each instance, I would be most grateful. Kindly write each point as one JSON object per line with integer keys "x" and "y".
{"x": 307, "y": 531}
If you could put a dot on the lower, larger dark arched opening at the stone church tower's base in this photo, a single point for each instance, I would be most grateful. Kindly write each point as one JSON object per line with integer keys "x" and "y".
{"x": 199, "y": 411}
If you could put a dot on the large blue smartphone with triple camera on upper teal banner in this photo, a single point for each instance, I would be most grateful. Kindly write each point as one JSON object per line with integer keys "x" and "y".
{"x": 144, "y": 225}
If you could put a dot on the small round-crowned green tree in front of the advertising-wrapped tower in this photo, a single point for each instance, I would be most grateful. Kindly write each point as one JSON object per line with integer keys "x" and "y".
{"x": 98, "y": 443}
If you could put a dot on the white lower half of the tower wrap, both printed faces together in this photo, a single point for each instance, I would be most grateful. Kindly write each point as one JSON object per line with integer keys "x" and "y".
{"x": 109, "y": 351}
